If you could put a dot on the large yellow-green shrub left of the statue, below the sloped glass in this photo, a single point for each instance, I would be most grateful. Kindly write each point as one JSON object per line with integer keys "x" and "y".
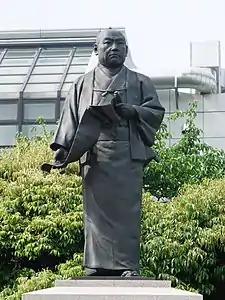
{"x": 41, "y": 221}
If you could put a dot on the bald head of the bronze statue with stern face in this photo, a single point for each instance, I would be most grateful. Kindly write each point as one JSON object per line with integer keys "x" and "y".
{"x": 111, "y": 48}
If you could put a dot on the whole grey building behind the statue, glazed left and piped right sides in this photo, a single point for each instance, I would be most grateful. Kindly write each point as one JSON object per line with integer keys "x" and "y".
{"x": 38, "y": 67}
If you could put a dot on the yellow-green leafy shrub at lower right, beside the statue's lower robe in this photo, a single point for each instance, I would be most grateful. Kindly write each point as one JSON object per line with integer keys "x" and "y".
{"x": 184, "y": 240}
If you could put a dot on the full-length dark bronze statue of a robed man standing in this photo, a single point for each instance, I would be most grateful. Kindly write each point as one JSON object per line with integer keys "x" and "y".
{"x": 113, "y": 153}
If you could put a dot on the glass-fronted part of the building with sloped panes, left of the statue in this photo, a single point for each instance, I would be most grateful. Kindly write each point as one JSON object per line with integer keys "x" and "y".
{"x": 37, "y": 69}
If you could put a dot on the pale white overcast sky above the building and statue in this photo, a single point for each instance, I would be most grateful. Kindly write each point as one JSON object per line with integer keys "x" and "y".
{"x": 159, "y": 31}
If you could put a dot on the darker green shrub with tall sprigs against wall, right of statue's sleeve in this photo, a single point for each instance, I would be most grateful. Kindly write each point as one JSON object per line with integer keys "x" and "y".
{"x": 187, "y": 161}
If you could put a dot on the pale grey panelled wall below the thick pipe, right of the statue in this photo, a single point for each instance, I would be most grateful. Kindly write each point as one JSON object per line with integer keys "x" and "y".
{"x": 210, "y": 115}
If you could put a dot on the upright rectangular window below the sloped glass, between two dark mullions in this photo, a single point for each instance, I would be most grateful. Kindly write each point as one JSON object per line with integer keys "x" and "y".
{"x": 32, "y": 111}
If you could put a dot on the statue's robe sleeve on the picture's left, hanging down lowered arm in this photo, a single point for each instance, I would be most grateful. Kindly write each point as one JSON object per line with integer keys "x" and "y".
{"x": 68, "y": 122}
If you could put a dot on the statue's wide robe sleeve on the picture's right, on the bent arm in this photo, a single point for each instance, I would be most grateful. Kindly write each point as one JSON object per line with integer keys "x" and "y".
{"x": 150, "y": 113}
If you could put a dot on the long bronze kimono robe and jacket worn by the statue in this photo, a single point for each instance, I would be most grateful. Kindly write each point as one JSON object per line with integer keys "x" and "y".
{"x": 112, "y": 170}
